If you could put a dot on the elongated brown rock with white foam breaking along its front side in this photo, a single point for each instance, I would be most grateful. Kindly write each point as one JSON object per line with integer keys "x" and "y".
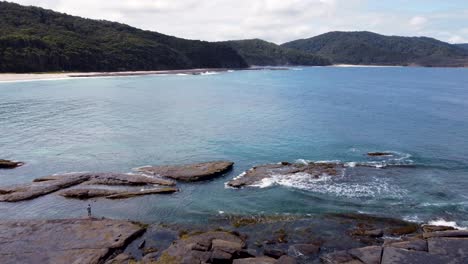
{"x": 257, "y": 174}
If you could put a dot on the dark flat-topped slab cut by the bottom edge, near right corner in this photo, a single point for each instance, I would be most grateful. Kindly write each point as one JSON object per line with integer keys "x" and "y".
{"x": 397, "y": 256}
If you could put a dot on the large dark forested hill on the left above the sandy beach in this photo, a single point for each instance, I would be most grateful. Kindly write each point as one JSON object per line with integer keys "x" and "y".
{"x": 33, "y": 39}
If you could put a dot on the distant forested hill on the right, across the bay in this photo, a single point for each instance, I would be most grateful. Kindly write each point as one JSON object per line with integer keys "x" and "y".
{"x": 372, "y": 48}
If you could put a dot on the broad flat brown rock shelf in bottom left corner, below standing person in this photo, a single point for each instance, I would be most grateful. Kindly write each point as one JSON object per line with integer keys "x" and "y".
{"x": 64, "y": 241}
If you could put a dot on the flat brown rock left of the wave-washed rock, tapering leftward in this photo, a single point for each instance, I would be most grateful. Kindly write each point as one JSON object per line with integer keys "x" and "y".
{"x": 190, "y": 172}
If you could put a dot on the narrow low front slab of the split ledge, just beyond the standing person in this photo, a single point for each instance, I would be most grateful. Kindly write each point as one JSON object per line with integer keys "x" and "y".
{"x": 112, "y": 194}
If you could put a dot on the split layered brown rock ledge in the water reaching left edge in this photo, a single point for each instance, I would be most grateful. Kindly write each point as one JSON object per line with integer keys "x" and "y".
{"x": 49, "y": 184}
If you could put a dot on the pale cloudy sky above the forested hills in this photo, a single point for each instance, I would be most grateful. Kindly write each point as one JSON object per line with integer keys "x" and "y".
{"x": 277, "y": 21}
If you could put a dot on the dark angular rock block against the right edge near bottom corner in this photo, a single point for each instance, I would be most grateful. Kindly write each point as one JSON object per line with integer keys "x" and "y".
{"x": 456, "y": 247}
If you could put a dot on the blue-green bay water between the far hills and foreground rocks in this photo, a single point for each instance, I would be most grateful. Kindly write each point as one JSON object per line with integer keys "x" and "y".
{"x": 251, "y": 118}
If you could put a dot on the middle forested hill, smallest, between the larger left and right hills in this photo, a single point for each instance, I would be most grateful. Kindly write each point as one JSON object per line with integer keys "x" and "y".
{"x": 262, "y": 53}
